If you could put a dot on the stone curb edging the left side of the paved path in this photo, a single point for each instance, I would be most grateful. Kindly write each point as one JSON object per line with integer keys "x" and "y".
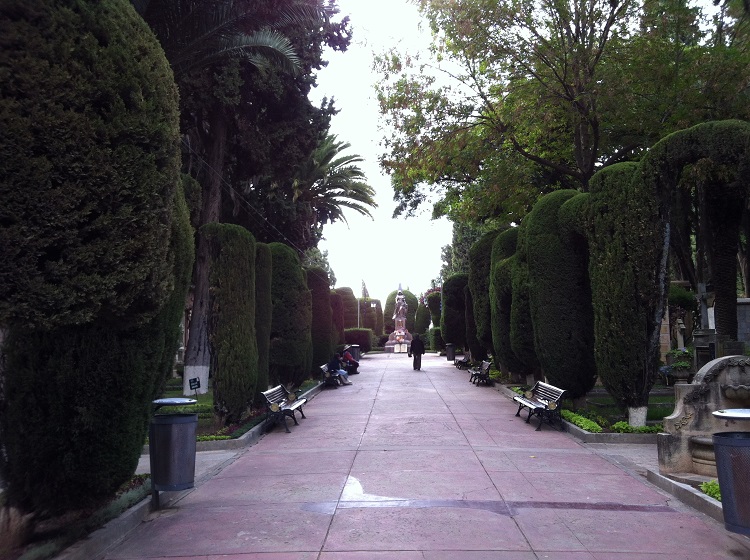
{"x": 96, "y": 545}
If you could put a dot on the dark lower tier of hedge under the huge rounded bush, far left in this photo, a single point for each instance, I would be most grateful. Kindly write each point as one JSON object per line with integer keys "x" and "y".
{"x": 93, "y": 366}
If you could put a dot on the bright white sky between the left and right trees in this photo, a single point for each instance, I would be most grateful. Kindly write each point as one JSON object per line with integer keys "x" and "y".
{"x": 383, "y": 252}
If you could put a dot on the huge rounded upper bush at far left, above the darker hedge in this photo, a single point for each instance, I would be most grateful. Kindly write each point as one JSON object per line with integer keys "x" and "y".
{"x": 90, "y": 159}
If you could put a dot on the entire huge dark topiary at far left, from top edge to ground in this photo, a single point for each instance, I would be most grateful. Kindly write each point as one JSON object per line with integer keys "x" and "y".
{"x": 94, "y": 243}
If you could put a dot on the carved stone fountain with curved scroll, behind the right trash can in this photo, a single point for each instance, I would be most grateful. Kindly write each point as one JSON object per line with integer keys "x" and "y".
{"x": 686, "y": 451}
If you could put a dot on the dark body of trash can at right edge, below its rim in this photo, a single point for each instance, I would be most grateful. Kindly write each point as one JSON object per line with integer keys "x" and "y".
{"x": 732, "y": 450}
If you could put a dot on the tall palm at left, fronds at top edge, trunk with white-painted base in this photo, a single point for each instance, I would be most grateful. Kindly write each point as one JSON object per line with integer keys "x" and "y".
{"x": 205, "y": 35}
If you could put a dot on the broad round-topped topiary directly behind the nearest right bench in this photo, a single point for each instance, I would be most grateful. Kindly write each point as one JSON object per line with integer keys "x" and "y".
{"x": 560, "y": 297}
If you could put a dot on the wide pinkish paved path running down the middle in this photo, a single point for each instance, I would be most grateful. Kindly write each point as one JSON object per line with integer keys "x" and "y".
{"x": 407, "y": 465}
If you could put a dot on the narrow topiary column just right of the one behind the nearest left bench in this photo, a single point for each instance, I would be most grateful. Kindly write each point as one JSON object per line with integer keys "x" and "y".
{"x": 263, "y": 315}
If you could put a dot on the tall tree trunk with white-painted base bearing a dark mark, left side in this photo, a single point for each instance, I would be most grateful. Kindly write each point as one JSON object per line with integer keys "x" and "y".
{"x": 198, "y": 353}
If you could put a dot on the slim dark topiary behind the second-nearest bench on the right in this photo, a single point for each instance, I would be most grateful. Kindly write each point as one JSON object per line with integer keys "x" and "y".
{"x": 480, "y": 259}
